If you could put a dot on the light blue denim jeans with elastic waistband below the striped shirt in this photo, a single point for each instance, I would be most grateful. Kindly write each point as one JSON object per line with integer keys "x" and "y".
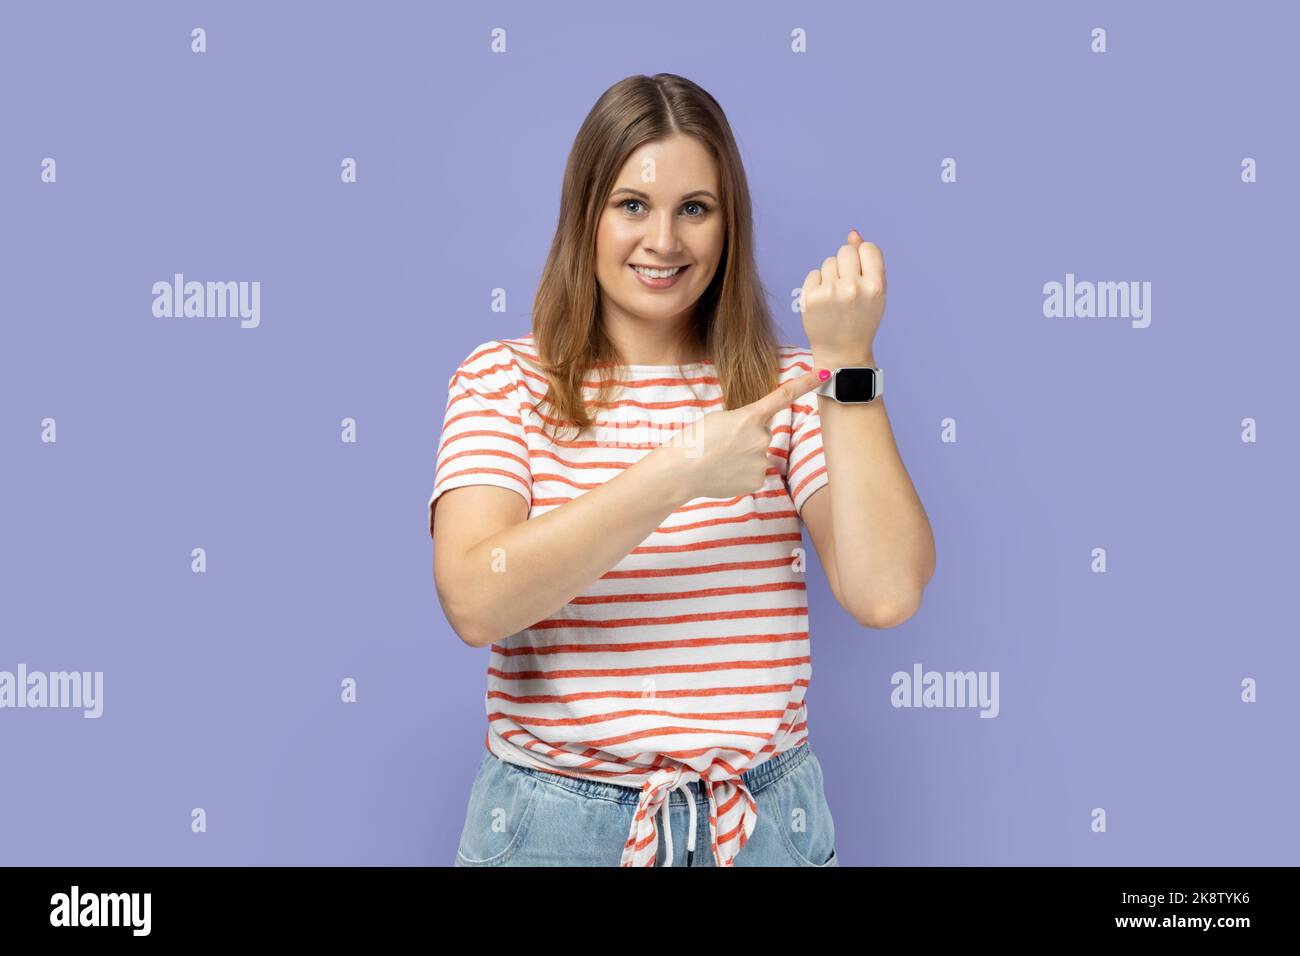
{"x": 526, "y": 817}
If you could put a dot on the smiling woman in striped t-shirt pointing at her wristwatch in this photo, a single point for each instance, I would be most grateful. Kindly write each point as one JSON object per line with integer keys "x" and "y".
{"x": 618, "y": 503}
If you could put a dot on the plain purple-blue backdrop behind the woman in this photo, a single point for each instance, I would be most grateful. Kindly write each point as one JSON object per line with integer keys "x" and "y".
{"x": 222, "y": 691}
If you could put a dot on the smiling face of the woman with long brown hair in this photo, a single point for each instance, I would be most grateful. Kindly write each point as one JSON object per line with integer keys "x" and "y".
{"x": 662, "y": 213}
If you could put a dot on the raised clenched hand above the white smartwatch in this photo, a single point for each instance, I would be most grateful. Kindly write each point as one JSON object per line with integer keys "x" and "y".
{"x": 846, "y": 300}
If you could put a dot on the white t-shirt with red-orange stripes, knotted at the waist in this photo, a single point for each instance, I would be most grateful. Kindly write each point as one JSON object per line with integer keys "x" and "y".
{"x": 690, "y": 660}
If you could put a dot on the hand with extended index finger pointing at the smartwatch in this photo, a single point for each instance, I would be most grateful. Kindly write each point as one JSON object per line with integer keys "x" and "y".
{"x": 726, "y": 453}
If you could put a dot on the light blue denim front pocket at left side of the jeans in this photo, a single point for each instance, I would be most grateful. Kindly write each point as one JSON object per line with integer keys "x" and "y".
{"x": 497, "y": 820}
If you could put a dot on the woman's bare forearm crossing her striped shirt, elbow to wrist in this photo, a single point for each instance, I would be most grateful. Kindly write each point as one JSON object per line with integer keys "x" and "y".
{"x": 530, "y": 570}
